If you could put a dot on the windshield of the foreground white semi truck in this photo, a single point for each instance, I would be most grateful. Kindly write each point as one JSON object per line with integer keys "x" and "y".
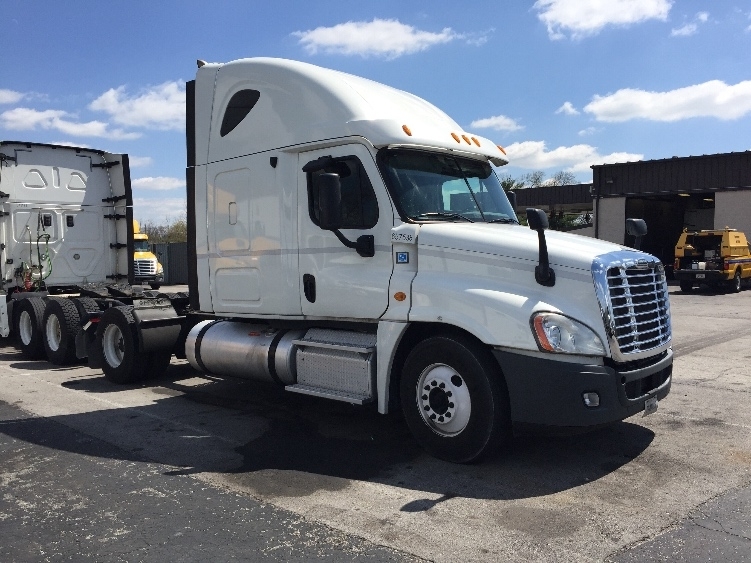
{"x": 439, "y": 187}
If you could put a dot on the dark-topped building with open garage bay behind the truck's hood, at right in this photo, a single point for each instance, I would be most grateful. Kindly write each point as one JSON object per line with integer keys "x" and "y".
{"x": 695, "y": 192}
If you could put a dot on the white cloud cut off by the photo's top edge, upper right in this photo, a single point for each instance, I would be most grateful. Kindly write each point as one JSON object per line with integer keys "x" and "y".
{"x": 582, "y": 18}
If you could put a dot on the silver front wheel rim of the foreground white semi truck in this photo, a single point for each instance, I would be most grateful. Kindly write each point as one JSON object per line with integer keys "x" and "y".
{"x": 443, "y": 400}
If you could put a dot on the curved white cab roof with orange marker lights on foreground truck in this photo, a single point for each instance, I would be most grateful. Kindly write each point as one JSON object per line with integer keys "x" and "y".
{"x": 262, "y": 104}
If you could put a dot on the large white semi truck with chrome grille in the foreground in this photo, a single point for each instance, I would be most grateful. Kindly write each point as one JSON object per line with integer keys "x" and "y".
{"x": 351, "y": 241}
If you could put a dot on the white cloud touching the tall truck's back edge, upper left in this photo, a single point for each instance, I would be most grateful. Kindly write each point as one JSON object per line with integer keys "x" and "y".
{"x": 161, "y": 107}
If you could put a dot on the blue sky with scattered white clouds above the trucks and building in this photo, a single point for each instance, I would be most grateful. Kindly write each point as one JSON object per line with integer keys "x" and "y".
{"x": 562, "y": 84}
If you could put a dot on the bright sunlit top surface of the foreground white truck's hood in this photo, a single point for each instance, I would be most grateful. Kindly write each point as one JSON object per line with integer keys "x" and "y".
{"x": 516, "y": 242}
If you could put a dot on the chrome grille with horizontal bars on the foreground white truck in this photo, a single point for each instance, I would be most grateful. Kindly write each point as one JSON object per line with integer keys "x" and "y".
{"x": 639, "y": 307}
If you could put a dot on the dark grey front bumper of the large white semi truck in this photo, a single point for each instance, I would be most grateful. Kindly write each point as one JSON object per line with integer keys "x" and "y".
{"x": 549, "y": 392}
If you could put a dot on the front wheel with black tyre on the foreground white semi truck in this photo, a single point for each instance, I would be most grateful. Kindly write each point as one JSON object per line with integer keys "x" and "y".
{"x": 454, "y": 399}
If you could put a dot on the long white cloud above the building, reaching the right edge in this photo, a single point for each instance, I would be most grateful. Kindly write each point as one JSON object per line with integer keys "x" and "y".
{"x": 710, "y": 99}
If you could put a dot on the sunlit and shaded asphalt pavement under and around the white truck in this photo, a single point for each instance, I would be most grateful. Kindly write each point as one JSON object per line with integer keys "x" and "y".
{"x": 195, "y": 468}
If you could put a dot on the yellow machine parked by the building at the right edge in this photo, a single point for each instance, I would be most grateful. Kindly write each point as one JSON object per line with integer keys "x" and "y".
{"x": 713, "y": 258}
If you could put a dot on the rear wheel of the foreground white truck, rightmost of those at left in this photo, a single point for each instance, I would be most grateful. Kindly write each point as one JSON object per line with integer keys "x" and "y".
{"x": 122, "y": 361}
